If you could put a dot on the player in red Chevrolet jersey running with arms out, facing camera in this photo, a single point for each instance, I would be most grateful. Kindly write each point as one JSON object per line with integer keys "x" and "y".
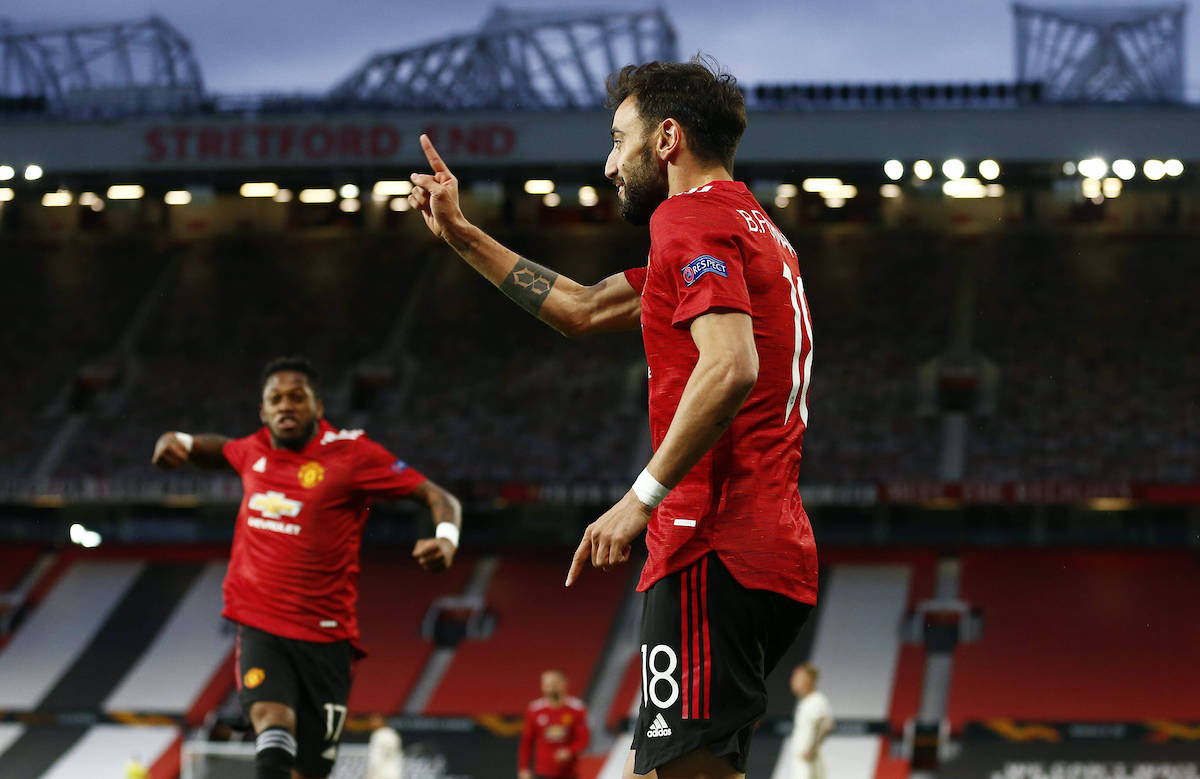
{"x": 292, "y": 584}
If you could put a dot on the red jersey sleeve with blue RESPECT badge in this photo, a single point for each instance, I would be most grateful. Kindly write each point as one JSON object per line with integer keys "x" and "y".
{"x": 701, "y": 261}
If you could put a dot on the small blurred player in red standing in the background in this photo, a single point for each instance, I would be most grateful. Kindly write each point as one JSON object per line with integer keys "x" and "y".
{"x": 556, "y": 733}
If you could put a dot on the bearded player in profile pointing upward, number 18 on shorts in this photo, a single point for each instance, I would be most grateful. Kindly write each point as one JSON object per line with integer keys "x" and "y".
{"x": 733, "y": 572}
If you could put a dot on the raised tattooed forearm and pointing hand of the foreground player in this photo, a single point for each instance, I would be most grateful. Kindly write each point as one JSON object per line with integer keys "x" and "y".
{"x": 563, "y": 304}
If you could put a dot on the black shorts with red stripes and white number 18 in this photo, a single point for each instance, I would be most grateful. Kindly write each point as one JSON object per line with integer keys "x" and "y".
{"x": 707, "y": 648}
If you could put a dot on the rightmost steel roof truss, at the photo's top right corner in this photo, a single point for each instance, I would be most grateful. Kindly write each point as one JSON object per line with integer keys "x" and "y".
{"x": 1102, "y": 55}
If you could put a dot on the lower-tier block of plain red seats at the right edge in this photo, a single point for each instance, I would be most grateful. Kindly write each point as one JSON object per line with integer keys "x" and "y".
{"x": 1078, "y": 637}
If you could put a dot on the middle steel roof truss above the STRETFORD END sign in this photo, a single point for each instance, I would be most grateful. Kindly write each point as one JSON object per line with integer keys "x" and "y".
{"x": 519, "y": 59}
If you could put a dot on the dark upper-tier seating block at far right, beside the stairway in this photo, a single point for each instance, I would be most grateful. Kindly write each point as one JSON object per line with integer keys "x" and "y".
{"x": 1090, "y": 332}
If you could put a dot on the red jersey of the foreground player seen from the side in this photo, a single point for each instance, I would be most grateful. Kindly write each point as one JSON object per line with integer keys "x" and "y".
{"x": 713, "y": 249}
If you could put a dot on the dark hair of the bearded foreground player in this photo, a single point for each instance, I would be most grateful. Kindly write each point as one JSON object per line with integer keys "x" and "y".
{"x": 704, "y": 100}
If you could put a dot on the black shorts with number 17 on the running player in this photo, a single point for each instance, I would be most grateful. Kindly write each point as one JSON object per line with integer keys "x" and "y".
{"x": 310, "y": 678}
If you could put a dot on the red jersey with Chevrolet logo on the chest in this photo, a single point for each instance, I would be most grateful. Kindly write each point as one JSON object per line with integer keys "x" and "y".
{"x": 295, "y": 567}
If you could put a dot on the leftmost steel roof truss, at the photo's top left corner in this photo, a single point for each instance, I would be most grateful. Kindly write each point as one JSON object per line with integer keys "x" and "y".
{"x": 101, "y": 69}
